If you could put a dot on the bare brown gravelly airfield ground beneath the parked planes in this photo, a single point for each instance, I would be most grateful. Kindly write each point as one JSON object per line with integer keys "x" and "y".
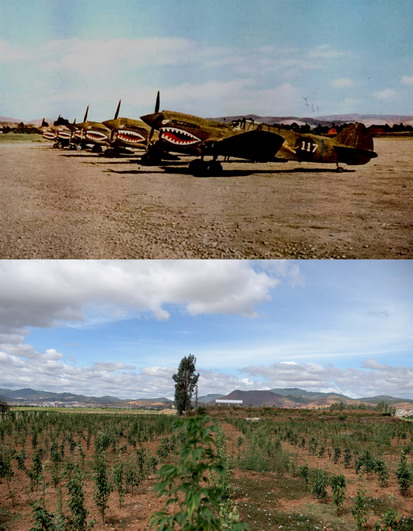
{"x": 63, "y": 204}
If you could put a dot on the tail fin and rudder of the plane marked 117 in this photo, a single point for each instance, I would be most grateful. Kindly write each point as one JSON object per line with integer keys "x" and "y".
{"x": 356, "y": 145}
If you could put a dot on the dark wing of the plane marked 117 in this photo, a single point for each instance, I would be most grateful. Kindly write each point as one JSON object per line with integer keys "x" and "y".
{"x": 259, "y": 146}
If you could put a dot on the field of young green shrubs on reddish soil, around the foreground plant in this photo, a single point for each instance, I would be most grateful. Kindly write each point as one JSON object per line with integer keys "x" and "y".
{"x": 284, "y": 469}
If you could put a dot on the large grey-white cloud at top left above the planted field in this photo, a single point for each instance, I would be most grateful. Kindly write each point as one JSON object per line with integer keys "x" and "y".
{"x": 43, "y": 293}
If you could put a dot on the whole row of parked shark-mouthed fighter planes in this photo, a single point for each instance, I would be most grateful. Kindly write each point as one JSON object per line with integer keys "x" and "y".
{"x": 161, "y": 135}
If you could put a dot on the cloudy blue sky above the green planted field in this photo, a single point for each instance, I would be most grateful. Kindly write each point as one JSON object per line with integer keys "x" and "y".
{"x": 121, "y": 327}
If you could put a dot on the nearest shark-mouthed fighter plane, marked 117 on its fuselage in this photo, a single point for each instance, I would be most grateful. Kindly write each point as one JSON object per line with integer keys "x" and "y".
{"x": 192, "y": 135}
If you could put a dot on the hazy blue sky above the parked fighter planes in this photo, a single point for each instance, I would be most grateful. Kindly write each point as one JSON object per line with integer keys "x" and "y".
{"x": 210, "y": 58}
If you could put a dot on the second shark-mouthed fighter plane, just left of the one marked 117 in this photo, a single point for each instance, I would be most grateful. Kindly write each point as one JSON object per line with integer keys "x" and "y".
{"x": 126, "y": 133}
